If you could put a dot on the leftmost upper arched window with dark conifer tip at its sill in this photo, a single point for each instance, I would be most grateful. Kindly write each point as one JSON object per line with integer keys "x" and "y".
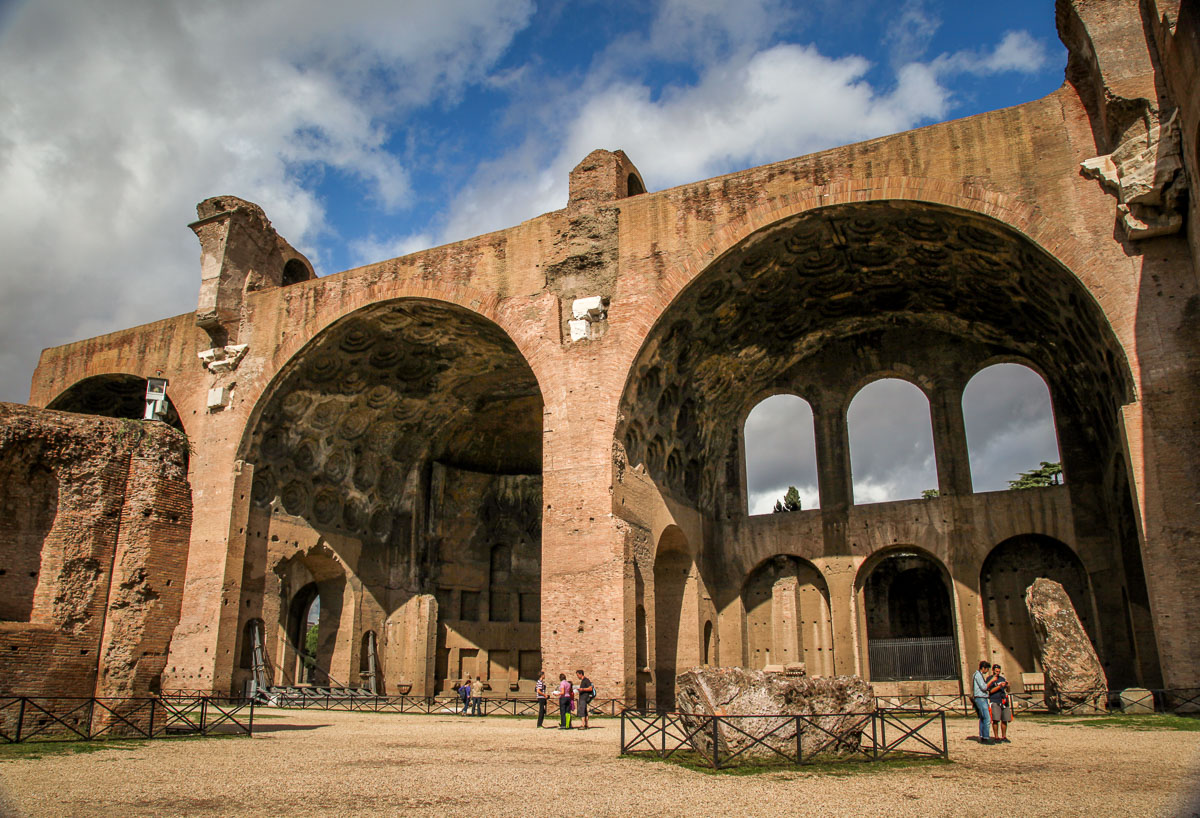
{"x": 782, "y": 454}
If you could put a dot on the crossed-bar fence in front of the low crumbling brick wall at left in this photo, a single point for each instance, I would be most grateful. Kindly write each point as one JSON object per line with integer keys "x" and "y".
{"x": 81, "y": 719}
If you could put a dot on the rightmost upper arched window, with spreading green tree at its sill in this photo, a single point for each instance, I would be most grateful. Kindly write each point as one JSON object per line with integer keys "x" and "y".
{"x": 1010, "y": 423}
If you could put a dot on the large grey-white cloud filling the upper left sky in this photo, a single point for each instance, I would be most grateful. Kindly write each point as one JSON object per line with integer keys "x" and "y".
{"x": 118, "y": 118}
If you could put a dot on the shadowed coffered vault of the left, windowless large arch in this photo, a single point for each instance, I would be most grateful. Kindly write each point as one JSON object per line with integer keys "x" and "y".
{"x": 361, "y": 410}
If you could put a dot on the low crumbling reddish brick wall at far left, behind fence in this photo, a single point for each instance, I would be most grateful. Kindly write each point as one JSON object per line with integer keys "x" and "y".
{"x": 105, "y": 525}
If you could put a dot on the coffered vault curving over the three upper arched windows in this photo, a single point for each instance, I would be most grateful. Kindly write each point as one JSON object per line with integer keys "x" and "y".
{"x": 772, "y": 290}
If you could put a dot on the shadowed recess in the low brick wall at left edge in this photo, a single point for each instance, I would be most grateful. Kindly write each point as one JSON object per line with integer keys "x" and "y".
{"x": 29, "y": 507}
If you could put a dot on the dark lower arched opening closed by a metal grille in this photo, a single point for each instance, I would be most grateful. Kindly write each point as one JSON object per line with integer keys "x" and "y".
{"x": 910, "y": 619}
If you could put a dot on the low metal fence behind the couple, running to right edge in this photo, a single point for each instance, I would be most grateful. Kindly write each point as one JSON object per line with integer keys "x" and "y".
{"x": 1180, "y": 701}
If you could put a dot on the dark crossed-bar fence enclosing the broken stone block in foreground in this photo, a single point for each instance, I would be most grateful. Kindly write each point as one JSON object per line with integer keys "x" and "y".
{"x": 722, "y": 742}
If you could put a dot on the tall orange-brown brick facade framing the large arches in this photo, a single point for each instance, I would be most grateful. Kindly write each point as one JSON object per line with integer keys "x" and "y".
{"x": 605, "y": 515}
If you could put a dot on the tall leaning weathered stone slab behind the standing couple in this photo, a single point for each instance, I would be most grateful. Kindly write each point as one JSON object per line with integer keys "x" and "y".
{"x": 1075, "y": 677}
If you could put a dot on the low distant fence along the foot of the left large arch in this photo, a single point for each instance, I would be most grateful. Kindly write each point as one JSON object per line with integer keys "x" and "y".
{"x": 421, "y": 705}
